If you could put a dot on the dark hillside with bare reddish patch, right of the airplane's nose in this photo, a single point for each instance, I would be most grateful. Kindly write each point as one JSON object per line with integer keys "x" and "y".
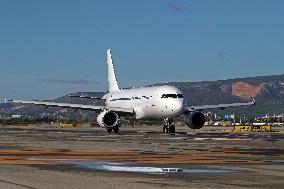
{"x": 268, "y": 91}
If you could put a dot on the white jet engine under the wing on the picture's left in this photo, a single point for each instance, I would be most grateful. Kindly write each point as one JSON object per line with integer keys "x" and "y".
{"x": 107, "y": 119}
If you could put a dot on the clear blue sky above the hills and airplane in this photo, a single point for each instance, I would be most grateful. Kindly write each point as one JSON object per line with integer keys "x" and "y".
{"x": 51, "y": 48}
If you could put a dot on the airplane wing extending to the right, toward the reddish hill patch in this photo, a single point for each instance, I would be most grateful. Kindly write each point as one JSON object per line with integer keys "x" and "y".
{"x": 218, "y": 106}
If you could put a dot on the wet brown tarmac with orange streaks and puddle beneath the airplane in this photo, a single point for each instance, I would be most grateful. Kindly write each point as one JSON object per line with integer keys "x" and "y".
{"x": 141, "y": 157}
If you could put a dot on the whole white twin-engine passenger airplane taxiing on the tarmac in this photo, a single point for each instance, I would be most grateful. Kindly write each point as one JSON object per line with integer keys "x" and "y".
{"x": 147, "y": 103}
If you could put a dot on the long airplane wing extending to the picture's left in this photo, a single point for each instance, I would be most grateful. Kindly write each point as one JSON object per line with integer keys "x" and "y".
{"x": 75, "y": 106}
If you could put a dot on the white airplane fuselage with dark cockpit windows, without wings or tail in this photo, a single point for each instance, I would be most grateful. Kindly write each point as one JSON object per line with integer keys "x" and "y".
{"x": 157, "y": 102}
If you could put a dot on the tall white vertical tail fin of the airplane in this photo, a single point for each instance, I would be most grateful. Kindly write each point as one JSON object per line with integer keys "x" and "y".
{"x": 112, "y": 82}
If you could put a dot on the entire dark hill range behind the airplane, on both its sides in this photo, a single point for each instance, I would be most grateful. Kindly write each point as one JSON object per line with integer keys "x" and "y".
{"x": 268, "y": 91}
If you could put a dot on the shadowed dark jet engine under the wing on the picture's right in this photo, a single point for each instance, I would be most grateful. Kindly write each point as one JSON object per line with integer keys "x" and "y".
{"x": 195, "y": 120}
